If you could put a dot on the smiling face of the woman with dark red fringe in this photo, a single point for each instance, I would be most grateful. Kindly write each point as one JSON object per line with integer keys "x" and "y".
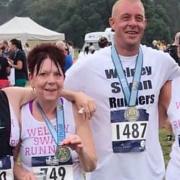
{"x": 49, "y": 81}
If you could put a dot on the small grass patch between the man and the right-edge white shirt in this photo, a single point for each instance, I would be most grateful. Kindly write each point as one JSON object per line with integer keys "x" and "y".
{"x": 166, "y": 145}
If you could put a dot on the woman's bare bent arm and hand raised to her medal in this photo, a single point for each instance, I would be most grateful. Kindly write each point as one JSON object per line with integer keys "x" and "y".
{"x": 82, "y": 143}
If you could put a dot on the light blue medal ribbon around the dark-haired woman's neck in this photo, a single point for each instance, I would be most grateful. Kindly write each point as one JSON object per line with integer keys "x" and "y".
{"x": 59, "y": 134}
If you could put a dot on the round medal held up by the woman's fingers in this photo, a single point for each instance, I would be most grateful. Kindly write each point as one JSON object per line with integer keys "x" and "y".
{"x": 63, "y": 154}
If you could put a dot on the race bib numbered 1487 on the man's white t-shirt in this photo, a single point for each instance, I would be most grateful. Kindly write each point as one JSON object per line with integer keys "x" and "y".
{"x": 128, "y": 136}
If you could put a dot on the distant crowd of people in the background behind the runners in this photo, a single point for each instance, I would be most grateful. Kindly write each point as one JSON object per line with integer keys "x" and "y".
{"x": 13, "y": 57}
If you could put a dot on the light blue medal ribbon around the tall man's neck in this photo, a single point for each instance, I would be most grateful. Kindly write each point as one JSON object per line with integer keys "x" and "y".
{"x": 132, "y": 94}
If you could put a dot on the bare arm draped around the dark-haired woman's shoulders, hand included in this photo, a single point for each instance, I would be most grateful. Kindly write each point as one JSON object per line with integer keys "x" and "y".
{"x": 18, "y": 96}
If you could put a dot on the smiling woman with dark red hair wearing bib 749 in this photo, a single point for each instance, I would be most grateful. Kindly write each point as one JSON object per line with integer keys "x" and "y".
{"x": 49, "y": 113}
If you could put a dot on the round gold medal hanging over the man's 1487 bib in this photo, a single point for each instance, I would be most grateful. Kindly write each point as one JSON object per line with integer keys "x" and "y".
{"x": 131, "y": 113}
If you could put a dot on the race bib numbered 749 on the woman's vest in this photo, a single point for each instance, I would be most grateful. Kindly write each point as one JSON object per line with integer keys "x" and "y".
{"x": 49, "y": 168}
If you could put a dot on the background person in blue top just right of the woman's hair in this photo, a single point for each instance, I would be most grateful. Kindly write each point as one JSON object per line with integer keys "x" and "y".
{"x": 68, "y": 58}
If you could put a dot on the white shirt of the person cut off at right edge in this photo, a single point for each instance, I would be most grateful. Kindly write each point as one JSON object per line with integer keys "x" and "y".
{"x": 173, "y": 169}
